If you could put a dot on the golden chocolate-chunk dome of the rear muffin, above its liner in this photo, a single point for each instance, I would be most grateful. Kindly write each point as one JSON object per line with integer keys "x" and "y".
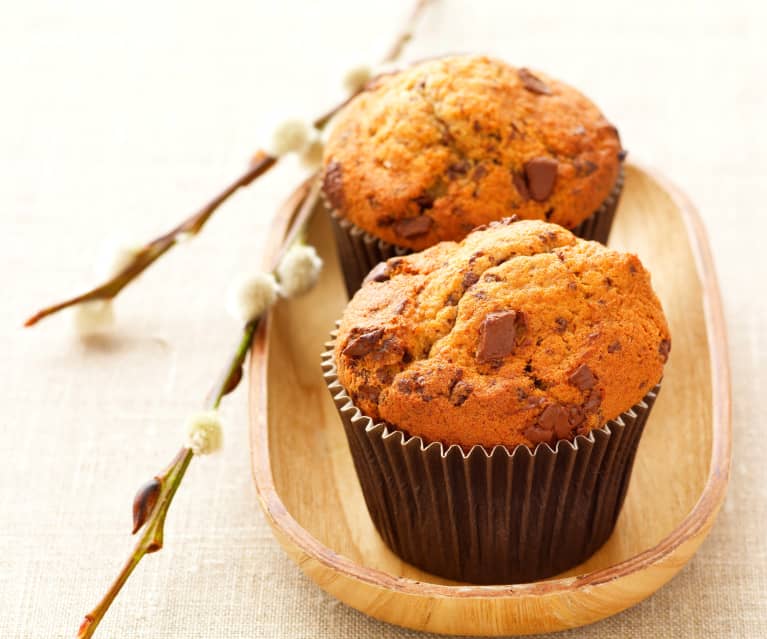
{"x": 431, "y": 152}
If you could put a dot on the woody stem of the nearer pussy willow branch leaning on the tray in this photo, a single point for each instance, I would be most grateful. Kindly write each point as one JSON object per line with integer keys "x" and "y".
{"x": 169, "y": 480}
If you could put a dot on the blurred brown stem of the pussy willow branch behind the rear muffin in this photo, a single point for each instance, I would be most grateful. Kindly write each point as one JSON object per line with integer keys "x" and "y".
{"x": 260, "y": 164}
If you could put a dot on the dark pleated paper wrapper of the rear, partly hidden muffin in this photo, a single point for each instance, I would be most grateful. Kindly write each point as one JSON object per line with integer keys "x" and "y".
{"x": 359, "y": 251}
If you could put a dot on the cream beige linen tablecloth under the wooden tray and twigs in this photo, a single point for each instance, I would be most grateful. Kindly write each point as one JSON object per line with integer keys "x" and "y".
{"x": 119, "y": 118}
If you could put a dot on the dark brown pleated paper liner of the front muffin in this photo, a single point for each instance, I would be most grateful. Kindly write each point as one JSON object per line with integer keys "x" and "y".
{"x": 500, "y": 516}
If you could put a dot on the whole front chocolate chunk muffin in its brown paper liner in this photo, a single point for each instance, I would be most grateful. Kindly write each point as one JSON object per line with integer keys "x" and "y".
{"x": 493, "y": 393}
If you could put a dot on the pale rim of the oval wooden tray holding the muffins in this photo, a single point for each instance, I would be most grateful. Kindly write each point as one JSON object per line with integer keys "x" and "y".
{"x": 693, "y": 528}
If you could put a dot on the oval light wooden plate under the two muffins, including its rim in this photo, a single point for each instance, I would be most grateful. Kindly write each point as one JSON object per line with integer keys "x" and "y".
{"x": 311, "y": 497}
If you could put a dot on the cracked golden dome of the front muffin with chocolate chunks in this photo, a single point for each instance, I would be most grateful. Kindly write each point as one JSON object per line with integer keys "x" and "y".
{"x": 519, "y": 334}
